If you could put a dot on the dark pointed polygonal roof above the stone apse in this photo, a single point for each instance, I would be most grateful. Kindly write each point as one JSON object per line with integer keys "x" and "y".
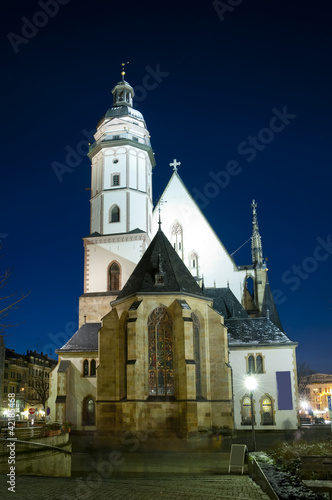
{"x": 160, "y": 258}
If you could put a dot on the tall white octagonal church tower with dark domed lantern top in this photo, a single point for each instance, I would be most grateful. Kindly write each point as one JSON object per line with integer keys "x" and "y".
{"x": 121, "y": 203}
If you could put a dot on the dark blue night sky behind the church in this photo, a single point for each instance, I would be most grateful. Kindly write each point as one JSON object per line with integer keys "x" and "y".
{"x": 219, "y": 84}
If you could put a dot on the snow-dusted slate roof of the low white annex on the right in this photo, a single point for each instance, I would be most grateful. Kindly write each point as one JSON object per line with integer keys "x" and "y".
{"x": 255, "y": 331}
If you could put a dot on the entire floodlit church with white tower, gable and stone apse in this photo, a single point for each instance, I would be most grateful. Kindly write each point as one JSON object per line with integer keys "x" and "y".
{"x": 171, "y": 329}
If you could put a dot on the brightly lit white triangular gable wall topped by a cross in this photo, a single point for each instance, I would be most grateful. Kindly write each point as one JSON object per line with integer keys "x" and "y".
{"x": 215, "y": 262}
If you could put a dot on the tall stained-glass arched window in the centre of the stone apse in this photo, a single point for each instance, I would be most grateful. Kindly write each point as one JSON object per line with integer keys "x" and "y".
{"x": 160, "y": 338}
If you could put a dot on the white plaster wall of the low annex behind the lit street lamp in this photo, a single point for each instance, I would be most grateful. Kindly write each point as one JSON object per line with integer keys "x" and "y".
{"x": 275, "y": 359}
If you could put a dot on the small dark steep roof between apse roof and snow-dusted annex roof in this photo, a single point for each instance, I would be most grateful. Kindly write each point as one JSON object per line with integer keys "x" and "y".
{"x": 225, "y": 303}
